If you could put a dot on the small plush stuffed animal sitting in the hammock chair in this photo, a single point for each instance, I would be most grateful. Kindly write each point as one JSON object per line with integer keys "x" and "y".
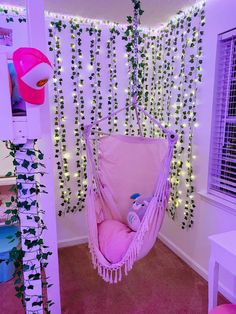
{"x": 137, "y": 211}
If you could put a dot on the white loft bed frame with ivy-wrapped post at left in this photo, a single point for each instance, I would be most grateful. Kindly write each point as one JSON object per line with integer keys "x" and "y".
{"x": 22, "y": 130}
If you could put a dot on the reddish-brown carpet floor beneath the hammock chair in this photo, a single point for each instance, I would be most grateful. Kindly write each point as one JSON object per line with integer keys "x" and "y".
{"x": 161, "y": 283}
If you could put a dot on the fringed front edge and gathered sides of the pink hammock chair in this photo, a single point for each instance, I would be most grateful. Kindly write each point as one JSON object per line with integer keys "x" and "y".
{"x": 112, "y": 273}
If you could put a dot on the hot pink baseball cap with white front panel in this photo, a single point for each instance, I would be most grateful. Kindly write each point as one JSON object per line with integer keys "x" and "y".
{"x": 33, "y": 71}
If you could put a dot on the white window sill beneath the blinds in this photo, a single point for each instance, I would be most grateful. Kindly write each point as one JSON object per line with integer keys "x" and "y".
{"x": 218, "y": 202}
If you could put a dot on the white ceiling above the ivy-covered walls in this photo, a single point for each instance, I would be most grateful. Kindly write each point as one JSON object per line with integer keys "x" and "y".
{"x": 156, "y": 11}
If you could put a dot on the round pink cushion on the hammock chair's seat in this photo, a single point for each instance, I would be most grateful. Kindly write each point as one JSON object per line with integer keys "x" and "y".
{"x": 114, "y": 239}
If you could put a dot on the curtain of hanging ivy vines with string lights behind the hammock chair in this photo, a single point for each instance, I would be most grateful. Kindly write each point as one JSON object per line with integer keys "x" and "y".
{"x": 169, "y": 73}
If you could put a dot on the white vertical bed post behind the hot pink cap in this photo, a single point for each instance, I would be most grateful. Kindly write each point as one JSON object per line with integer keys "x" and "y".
{"x": 39, "y": 126}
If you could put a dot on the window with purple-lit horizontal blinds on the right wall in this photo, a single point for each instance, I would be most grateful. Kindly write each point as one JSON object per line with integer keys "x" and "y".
{"x": 222, "y": 175}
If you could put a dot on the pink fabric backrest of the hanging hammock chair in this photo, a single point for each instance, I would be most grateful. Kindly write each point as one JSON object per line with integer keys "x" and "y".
{"x": 128, "y": 165}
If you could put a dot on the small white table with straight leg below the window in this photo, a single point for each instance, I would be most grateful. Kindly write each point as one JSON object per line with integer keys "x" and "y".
{"x": 223, "y": 252}
